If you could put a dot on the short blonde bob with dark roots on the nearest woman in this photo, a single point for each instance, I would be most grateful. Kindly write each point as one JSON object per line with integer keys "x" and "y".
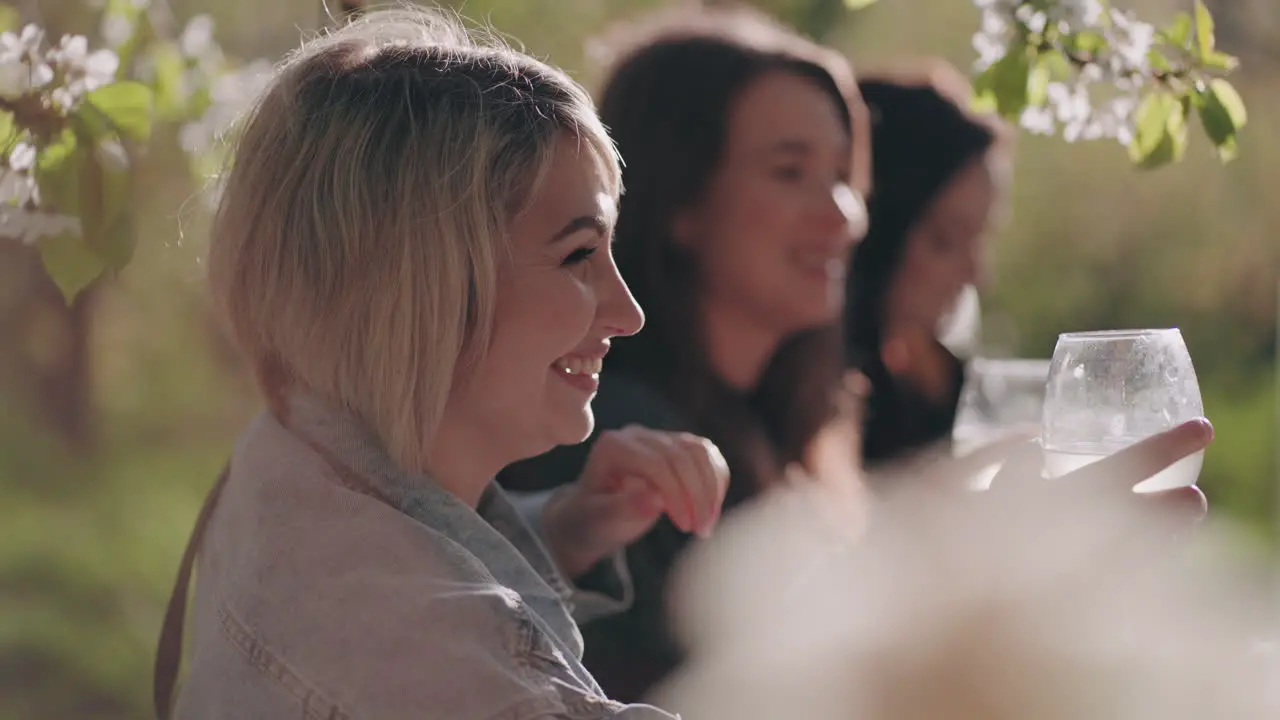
{"x": 356, "y": 245}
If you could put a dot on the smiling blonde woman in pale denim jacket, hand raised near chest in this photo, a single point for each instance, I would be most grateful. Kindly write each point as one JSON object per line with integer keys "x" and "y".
{"x": 414, "y": 254}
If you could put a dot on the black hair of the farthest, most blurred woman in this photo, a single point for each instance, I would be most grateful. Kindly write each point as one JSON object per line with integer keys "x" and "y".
{"x": 922, "y": 138}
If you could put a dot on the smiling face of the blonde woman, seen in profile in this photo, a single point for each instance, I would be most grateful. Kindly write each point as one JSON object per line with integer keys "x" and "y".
{"x": 560, "y": 302}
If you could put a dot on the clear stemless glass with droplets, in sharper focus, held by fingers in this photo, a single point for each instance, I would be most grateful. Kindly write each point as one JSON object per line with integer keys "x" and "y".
{"x": 1109, "y": 390}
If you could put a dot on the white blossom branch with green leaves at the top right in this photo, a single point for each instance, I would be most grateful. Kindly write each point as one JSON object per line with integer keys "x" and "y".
{"x": 1089, "y": 71}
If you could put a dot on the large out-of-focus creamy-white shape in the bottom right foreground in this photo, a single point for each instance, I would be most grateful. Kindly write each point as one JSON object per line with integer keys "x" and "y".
{"x": 981, "y": 609}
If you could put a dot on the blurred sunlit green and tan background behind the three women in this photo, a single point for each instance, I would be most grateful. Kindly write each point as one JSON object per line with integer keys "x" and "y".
{"x": 117, "y": 414}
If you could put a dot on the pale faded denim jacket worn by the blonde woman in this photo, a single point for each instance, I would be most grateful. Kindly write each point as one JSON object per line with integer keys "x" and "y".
{"x": 317, "y": 601}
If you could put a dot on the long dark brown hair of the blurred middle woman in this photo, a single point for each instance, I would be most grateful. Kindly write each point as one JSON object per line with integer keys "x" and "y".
{"x": 668, "y": 104}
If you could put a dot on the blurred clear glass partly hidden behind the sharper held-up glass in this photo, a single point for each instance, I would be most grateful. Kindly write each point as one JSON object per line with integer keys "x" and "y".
{"x": 999, "y": 397}
